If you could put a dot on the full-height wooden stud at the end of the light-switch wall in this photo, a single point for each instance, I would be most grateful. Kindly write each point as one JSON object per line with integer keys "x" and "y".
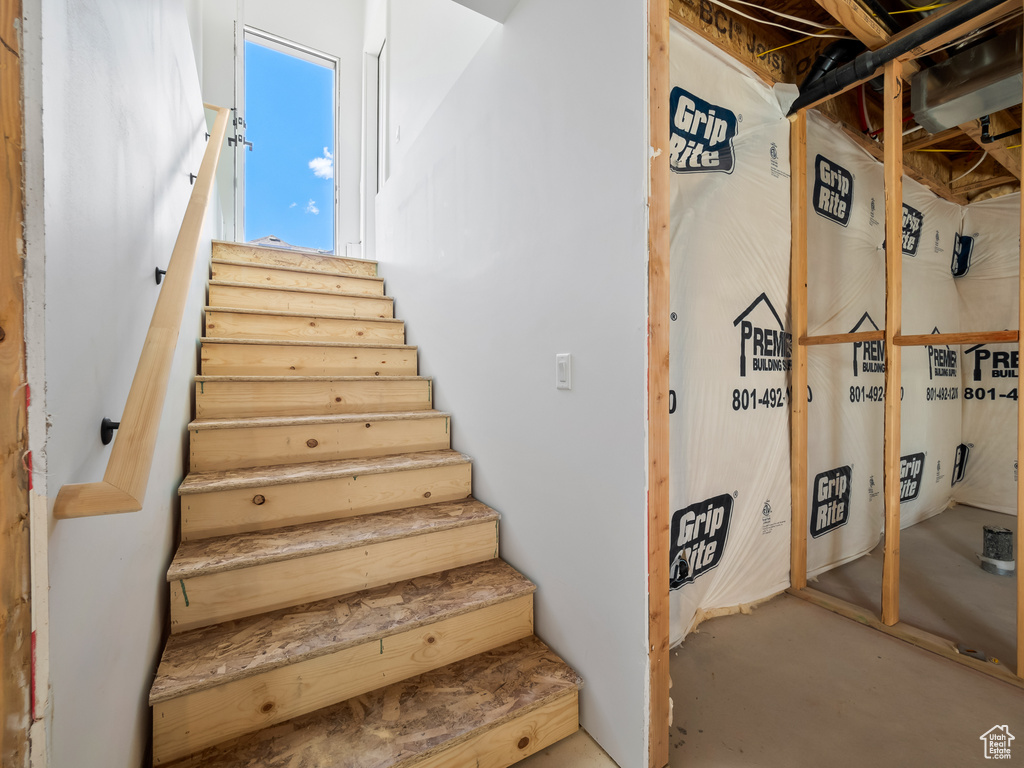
{"x": 658, "y": 385}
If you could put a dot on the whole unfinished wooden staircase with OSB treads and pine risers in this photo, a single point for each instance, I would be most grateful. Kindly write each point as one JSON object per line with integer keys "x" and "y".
{"x": 337, "y": 598}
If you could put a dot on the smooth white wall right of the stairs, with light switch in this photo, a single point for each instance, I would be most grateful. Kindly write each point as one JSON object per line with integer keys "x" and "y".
{"x": 516, "y": 230}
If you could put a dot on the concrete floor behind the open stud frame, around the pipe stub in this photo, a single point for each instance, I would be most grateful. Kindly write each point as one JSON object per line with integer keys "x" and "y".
{"x": 943, "y": 588}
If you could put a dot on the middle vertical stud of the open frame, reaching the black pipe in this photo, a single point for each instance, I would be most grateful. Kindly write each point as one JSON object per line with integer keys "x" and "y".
{"x": 894, "y": 284}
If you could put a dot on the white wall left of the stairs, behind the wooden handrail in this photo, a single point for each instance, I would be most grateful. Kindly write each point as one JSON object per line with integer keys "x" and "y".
{"x": 122, "y": 127}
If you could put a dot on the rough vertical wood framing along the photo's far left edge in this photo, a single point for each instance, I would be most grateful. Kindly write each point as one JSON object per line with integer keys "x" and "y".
{"x": 16, "y": 627}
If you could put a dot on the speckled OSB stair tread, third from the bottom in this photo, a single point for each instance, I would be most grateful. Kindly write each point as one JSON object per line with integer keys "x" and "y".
{"x": 205, "y": 557}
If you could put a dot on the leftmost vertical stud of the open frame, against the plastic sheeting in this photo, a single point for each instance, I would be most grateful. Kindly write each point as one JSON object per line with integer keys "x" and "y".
{"x": 798, "y": 398}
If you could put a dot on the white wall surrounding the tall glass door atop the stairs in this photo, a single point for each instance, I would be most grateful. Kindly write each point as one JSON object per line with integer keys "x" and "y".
{"x": 334, "y": 27}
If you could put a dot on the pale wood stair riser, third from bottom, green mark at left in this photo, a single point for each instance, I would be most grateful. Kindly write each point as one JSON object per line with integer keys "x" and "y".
{"x": 244, "y": 592}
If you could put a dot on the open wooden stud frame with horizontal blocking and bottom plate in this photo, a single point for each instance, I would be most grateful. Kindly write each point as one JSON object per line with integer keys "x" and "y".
{"x": 894, "y": 342}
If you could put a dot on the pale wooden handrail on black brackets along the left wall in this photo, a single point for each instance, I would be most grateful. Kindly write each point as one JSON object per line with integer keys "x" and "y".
{"x": 123, "y": 487}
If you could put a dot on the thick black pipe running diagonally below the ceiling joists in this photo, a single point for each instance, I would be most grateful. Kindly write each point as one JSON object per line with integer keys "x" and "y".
{"x": 865, "y": 66}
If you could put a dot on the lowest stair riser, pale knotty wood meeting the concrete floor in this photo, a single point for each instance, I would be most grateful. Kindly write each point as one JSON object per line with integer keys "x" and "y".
{"x": 500, "y": 748}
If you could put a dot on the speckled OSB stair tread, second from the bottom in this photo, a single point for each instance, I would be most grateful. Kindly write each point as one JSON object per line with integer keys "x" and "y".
{"x": 214, "y": 656}
